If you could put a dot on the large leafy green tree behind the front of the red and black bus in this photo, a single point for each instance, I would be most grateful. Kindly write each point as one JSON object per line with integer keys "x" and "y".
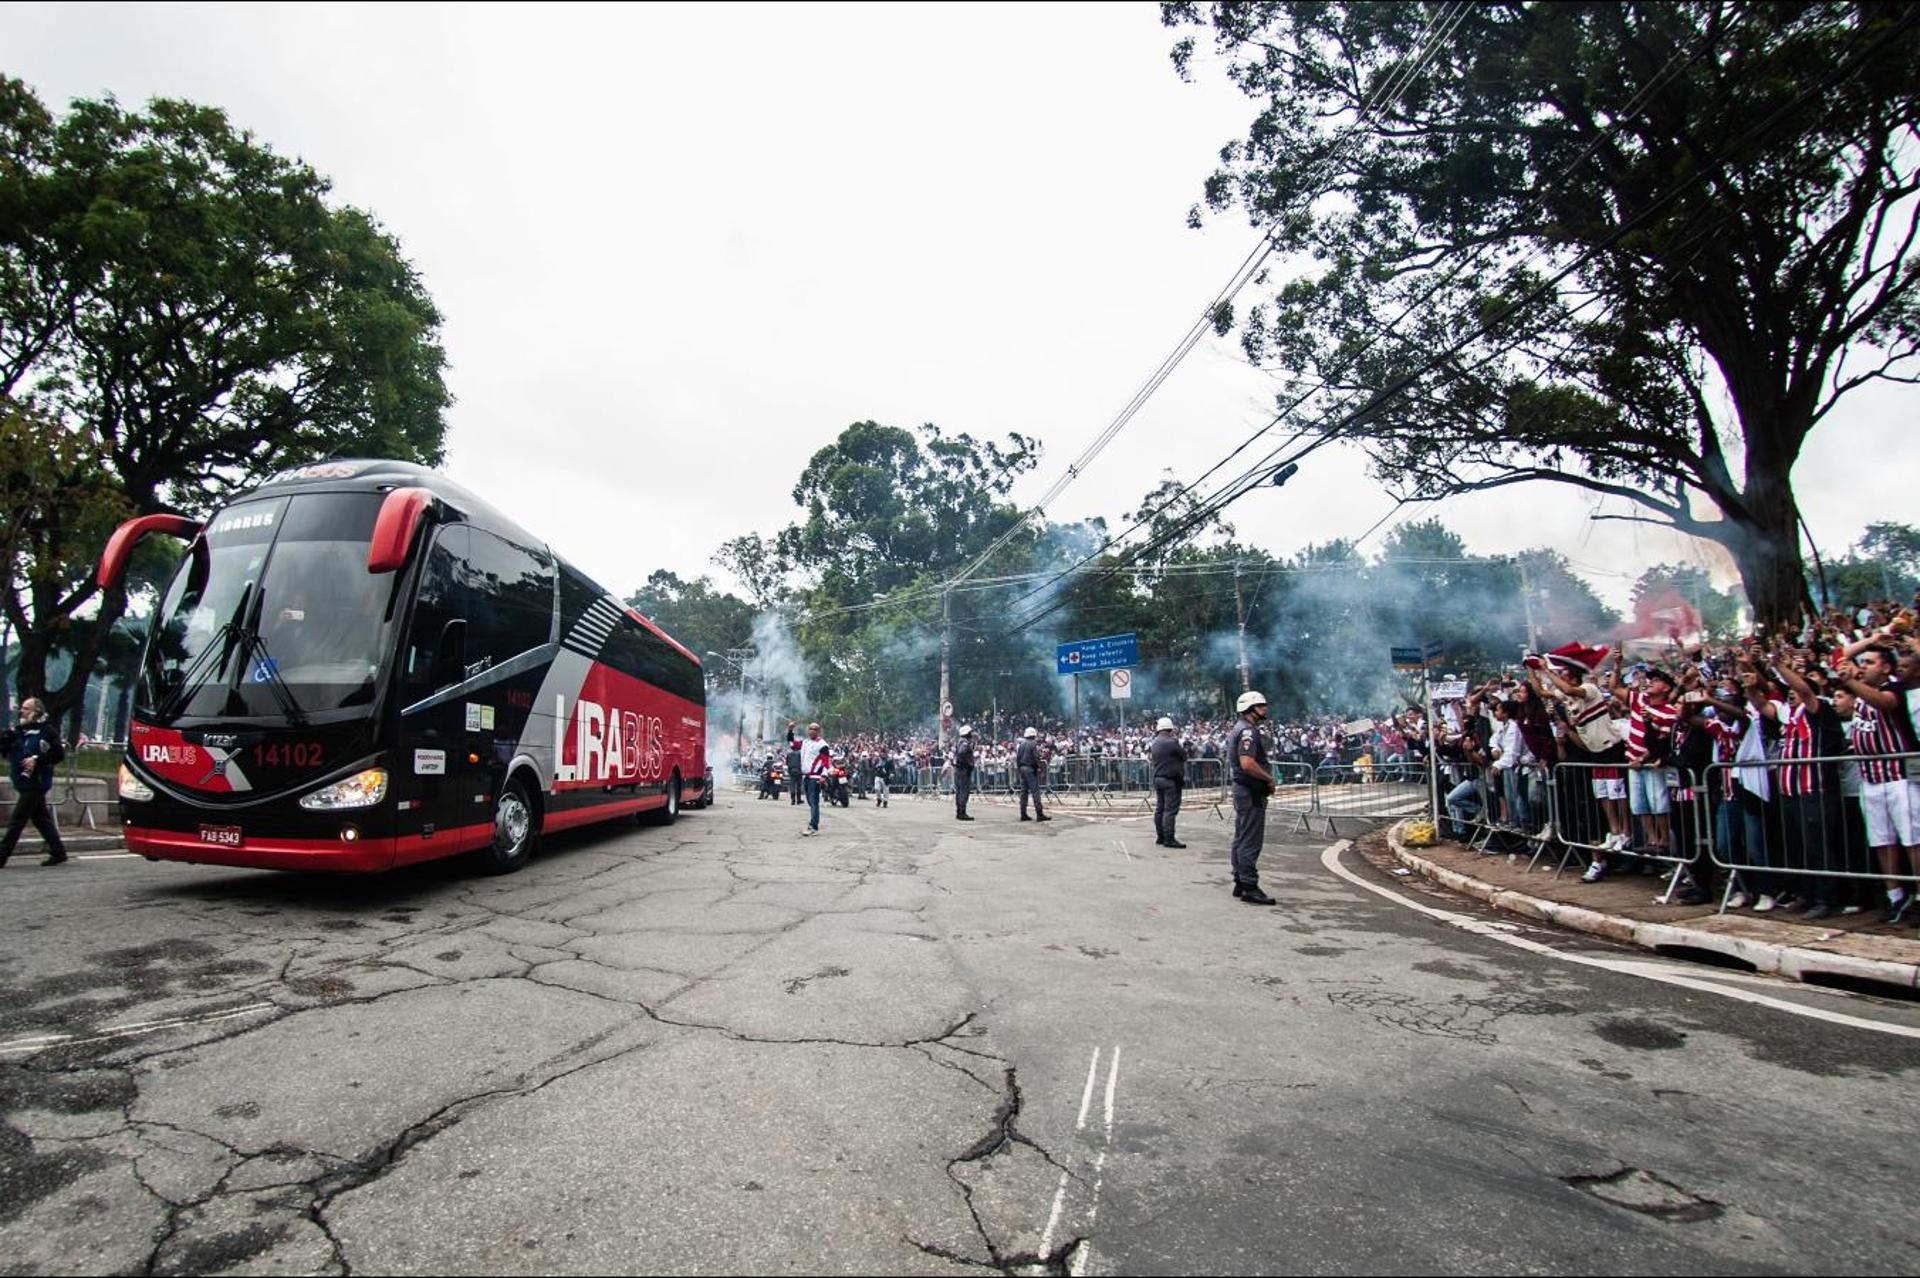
{"x": 189, "y": 312}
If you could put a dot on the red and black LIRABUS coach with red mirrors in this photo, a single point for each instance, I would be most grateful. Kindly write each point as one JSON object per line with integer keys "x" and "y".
{"x": 362, "y": 665}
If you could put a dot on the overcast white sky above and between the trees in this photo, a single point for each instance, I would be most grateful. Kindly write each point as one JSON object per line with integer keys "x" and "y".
{"x": 679, "y": 248}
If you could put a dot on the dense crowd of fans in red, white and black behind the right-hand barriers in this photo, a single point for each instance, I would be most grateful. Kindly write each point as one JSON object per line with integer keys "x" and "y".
{"x": 1802, "y": 745}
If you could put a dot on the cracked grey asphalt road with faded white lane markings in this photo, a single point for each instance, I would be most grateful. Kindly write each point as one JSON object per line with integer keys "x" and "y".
{"x": 905, "y": 1047}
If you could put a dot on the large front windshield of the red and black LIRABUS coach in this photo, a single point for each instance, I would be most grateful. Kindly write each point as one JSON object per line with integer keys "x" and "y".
{"x": 274, "y": 615}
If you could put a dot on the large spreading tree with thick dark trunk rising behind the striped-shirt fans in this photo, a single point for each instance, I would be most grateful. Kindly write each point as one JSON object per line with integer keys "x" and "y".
{"x": 1552, "y": 241}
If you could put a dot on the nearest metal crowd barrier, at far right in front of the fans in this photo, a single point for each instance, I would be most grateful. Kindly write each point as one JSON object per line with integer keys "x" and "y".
{"x": 1815, "y": 843}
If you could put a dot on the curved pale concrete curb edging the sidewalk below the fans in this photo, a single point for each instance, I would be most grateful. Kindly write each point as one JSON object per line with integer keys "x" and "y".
{"x": 1785, "y": 960}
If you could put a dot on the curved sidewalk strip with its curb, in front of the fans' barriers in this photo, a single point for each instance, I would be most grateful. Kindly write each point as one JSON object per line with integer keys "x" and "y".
{"x": 1854, "y": 949}
